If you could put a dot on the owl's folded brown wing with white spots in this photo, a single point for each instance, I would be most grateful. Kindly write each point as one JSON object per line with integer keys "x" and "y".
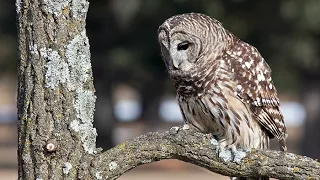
{"x": 255, "y": 88}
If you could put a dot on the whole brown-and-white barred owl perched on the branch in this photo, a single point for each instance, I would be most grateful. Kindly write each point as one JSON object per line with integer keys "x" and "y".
{"x": 223, "y": 84}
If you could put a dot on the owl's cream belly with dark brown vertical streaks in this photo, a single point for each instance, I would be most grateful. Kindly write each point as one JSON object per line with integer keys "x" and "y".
{"x": 225, "y": 116}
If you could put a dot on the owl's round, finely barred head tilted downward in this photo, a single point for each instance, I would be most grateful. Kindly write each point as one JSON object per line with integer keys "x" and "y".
{"x": 187, "y": 40}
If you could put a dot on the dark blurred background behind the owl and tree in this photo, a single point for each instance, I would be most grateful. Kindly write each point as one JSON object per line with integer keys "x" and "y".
{"x": 134, "y": 92}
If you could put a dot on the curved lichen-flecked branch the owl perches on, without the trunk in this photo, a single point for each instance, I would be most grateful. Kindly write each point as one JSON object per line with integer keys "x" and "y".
{"x": 195, "y": 148}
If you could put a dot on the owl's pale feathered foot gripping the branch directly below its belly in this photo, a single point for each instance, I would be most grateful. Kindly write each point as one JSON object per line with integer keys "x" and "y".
{"x": 231, "y": 154}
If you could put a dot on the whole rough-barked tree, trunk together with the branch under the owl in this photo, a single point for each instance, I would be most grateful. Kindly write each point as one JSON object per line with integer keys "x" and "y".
{"x": 56, "y": 104}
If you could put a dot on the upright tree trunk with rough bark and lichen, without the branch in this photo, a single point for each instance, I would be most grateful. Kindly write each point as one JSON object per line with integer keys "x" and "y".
{"x": 55, "y": 92}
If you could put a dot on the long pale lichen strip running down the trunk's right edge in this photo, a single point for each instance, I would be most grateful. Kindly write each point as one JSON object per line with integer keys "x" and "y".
{"x": 78, "y": 58}
